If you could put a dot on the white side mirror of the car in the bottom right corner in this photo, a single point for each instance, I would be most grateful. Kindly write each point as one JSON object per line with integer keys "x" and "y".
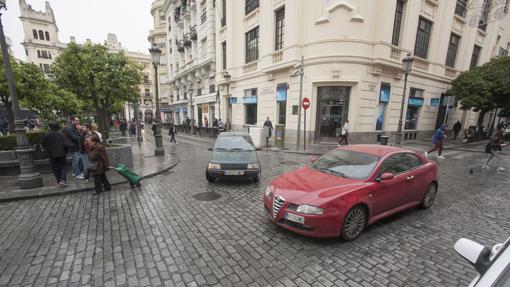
{"x": 477, "y": 254}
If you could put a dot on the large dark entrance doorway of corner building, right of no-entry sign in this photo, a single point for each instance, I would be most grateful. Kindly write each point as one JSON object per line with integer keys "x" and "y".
{"x": 333, "y": 105}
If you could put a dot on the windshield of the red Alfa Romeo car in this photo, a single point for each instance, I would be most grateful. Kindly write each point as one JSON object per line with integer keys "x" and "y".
{"x": 346, "y": 164}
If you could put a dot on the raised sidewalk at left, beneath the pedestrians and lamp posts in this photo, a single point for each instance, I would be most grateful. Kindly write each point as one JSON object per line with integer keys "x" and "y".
{"x": 144, "y": 163}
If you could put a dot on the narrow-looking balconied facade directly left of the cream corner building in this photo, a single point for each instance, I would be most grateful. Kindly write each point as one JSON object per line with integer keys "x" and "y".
{"x": 190, "y": 54}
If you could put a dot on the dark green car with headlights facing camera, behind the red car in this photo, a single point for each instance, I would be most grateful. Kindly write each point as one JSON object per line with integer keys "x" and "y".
{"x": 233, "y": 156}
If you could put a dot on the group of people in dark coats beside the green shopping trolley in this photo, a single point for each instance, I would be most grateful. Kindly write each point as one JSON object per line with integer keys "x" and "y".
{"x": 88, "y": 155}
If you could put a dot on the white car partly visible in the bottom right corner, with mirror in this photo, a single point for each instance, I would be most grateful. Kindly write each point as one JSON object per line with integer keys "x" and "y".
{"x": 493, "y": 264}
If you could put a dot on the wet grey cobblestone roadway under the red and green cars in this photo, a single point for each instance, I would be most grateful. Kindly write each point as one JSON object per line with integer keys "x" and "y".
{"x": 162, "y": 235}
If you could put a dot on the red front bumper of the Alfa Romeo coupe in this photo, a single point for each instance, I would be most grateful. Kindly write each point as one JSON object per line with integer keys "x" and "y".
{"x": 323, "y": 225}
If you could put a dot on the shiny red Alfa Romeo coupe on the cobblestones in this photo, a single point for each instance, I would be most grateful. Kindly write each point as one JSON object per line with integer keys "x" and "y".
{"x": 341, "y": 192}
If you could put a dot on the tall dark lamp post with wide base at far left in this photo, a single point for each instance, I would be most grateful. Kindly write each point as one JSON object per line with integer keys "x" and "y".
{"x": 29, "y": 177}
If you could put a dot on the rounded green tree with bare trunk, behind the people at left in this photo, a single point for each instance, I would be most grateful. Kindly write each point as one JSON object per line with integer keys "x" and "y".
{"x": 97, "y": 77}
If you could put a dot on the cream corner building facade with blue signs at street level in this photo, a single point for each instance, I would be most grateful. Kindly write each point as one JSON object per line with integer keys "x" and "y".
{"x": 352, "y": 53}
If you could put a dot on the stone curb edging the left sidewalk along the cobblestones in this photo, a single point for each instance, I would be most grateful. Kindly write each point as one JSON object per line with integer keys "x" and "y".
{"x": 41, "y": 194}
